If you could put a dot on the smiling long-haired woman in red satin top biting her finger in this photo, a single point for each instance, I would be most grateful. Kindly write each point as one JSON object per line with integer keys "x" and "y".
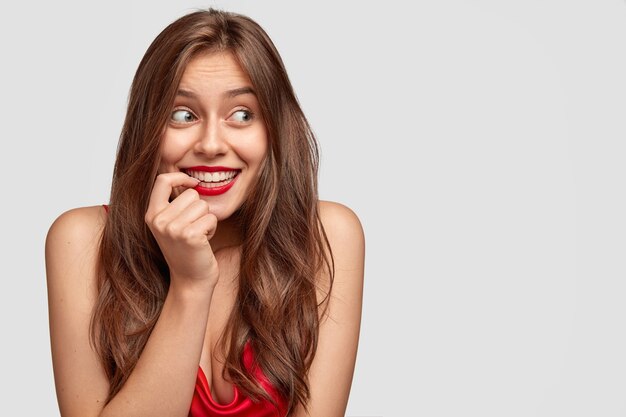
{"x": 214, "y": 283}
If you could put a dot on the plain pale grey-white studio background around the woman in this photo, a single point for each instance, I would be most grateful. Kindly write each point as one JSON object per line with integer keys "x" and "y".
{"x": 480, "y": 142}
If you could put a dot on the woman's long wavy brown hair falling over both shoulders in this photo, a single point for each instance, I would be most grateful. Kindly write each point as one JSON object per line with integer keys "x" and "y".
{"x": 284, "y": 246}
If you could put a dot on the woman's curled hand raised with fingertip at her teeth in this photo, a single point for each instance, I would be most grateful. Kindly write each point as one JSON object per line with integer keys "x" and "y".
{"x": 182, "y": 229}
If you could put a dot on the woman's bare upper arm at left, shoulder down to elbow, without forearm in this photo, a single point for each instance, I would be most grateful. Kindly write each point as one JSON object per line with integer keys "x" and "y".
{"x": 71, "y": 248}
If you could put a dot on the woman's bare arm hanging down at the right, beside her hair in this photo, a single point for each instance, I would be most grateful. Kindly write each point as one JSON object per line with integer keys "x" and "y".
{"x": 330, "y": 376}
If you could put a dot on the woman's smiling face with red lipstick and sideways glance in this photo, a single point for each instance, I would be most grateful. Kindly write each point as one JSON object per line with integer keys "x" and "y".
{"x": 215, "y": 132}
